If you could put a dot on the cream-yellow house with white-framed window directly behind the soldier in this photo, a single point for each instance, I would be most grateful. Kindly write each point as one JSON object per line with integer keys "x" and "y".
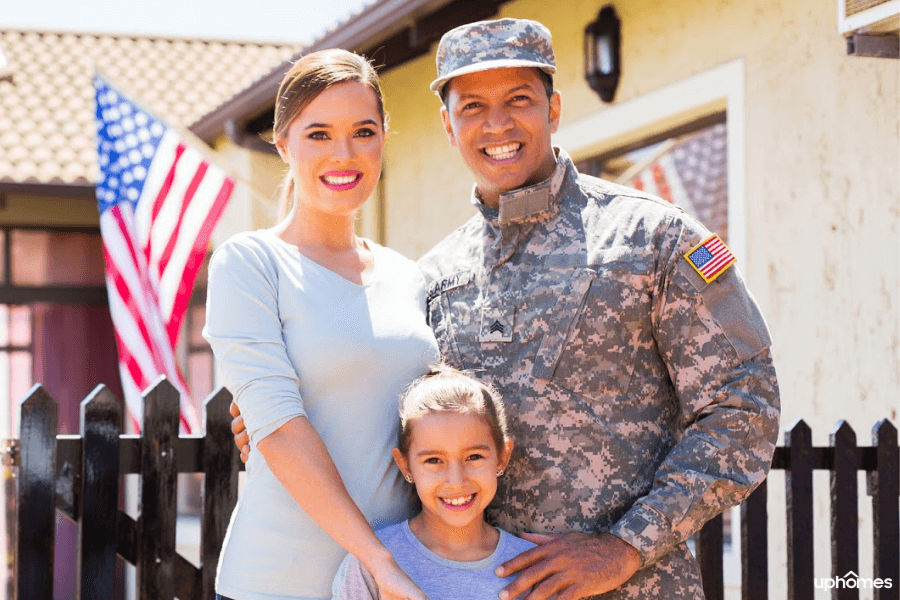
{"x": 792, "y": 143}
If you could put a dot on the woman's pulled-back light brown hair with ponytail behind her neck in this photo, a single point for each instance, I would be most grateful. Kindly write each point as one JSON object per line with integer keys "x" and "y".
{"x": 307, "y": 78}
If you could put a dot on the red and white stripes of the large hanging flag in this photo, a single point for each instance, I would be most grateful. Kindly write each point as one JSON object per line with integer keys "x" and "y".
{"x": 152, "y": 258}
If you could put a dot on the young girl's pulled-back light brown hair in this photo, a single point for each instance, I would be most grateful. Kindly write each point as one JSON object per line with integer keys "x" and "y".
{"x": 445, "y": 389}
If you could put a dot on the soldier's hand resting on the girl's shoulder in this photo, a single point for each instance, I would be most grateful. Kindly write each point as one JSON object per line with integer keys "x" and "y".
{"x": 569, "y": 566}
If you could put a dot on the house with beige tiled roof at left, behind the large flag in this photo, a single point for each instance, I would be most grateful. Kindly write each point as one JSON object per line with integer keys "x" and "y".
{"x": 55, "y": 326}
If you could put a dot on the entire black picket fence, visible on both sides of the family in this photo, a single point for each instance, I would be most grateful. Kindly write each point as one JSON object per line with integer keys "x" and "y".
{"x": 79, "y": 475}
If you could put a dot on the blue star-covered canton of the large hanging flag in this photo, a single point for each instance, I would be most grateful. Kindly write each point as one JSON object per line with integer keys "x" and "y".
{"x": 127, "y": 139}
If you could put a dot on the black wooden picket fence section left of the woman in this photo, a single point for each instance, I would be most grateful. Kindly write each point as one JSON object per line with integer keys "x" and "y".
{"x": 79, "y": 476}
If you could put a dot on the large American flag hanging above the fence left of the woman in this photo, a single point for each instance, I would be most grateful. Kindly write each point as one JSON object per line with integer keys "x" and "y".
{"x": 159, "y": 200}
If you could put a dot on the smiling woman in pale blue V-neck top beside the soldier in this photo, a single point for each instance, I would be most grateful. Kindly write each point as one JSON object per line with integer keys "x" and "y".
{"x": 317, "y": 332}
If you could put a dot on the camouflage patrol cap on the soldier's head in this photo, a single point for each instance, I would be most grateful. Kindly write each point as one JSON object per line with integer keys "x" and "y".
{"x": 496, "y": 44}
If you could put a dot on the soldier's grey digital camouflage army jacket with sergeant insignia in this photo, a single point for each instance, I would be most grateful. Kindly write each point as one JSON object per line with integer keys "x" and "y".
{"x": 642, "y": 400}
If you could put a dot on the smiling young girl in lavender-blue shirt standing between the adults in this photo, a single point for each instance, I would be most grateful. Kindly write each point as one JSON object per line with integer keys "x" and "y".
{"x": 453, "y": 446}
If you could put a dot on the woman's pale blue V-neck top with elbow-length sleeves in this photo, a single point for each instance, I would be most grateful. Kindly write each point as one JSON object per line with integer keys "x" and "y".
{"x": 294, "y": 339}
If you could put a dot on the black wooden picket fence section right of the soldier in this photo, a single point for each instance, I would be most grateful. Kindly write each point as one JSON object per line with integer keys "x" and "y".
{"x": 798, "y": 459}
